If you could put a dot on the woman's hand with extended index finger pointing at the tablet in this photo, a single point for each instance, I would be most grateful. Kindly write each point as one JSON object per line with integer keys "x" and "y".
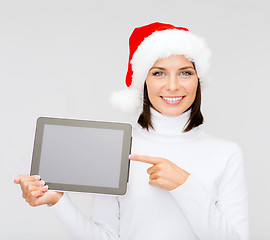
{"x": 164, "y": 173}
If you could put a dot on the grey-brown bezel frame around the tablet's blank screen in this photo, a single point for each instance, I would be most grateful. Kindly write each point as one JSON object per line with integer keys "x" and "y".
{"x": 125, "y": 162}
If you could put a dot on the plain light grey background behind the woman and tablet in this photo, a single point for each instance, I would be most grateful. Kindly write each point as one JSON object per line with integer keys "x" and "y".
{"x": 63, "y": 58}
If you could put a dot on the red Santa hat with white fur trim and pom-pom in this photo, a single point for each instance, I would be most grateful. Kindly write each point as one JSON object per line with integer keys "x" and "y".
{"x": 149, "y": 43}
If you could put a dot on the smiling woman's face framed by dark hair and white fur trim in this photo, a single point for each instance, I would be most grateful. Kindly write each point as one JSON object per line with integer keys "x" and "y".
{"x": 171, "y": 84}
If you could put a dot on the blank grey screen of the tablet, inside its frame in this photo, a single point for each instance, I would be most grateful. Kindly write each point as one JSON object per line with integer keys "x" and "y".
{"x": 94, "y": 154}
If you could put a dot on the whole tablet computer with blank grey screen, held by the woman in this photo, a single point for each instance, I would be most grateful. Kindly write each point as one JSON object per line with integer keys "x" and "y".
{"x": 82, "y": 155}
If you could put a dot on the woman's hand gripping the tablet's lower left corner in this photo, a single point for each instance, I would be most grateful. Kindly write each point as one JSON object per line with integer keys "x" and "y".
{"x": 35, "y": 192}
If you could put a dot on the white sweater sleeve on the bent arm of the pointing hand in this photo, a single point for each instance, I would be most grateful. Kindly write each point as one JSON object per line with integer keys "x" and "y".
{"x": 223, "y": 217}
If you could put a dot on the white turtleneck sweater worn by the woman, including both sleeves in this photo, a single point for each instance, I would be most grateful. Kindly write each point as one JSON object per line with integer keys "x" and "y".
{"x": 210, "y": 205}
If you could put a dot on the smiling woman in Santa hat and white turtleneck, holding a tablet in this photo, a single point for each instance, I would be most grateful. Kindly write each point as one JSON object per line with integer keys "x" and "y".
{"x": 184, "y": 184}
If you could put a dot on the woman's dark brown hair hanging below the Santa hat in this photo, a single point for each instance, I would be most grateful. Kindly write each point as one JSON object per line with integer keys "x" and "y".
{"x": 195, "y": 119}
